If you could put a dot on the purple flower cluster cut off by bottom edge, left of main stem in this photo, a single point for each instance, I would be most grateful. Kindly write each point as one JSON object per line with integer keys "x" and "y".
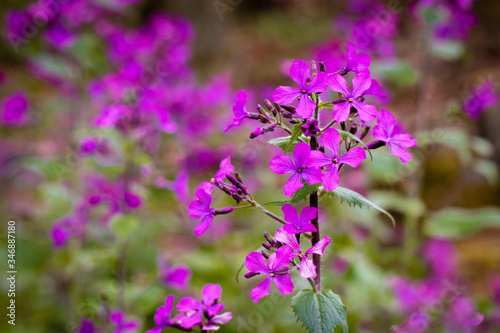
{"x": 205, "y": 313}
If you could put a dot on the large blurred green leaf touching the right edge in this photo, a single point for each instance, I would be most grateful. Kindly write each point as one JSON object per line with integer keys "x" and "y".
{"x": 461, "y": 222}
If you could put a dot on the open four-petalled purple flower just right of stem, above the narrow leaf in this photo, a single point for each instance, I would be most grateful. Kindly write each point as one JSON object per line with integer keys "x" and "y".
{"x": 331, "y": 140}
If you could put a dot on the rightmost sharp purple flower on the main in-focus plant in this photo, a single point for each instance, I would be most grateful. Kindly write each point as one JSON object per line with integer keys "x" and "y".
{"x": 386, "y": 131}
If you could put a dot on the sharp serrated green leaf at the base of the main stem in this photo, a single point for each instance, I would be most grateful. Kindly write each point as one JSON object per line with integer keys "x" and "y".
{"x": 321, "y": 312}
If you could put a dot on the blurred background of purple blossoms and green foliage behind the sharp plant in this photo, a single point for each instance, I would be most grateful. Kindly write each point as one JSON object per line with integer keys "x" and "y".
{"x": 446, "y": 202}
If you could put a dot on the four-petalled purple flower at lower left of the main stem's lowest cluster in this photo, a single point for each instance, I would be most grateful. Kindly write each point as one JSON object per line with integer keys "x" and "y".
{"x": 276, "y": 268}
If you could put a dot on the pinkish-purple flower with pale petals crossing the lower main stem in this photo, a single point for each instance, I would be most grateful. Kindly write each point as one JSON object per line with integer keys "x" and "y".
{"x": 307, "y": 267}
